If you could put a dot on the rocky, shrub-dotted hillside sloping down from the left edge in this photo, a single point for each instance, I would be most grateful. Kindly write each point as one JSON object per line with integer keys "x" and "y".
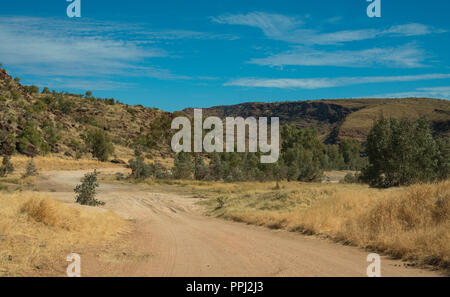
{"x": 36, "y": 122}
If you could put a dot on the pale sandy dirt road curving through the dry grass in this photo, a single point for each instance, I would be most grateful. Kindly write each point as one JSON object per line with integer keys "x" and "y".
{"x": 173, "y": 238}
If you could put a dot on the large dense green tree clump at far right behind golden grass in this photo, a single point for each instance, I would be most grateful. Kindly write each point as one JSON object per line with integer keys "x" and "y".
{"x": 403, "y": 152}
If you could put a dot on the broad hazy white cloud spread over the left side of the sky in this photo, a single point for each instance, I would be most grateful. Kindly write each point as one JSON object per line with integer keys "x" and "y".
{"x": 51, "y": 48}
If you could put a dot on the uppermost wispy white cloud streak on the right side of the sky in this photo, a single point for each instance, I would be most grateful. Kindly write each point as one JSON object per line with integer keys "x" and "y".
{"x": 292, "y": 29}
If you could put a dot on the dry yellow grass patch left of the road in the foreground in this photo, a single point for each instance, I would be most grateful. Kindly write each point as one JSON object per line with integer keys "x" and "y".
{"x": 37, "y": 233}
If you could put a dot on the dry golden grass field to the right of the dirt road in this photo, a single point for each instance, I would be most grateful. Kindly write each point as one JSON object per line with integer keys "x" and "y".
{"x": 410, "y": 223}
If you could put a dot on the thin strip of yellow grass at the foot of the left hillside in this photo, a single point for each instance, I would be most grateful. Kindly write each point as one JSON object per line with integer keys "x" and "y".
{"x": 47, "y": 163}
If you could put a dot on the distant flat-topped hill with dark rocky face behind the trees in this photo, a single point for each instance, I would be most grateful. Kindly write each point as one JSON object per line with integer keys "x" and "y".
{"x": 342, "y": 118}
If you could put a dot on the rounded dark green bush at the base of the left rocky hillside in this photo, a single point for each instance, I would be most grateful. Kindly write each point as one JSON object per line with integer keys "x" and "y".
{"x": 99, "y": 144}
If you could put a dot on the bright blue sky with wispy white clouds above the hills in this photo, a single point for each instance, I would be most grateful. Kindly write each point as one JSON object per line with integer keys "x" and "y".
{"x": 177, "y": 54}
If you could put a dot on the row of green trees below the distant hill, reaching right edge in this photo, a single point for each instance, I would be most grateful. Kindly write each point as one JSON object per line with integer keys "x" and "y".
{"x": 397, "y": 152}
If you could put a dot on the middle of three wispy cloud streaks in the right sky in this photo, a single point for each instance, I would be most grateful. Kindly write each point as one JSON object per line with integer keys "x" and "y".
{"x": 407, "y": 56}
